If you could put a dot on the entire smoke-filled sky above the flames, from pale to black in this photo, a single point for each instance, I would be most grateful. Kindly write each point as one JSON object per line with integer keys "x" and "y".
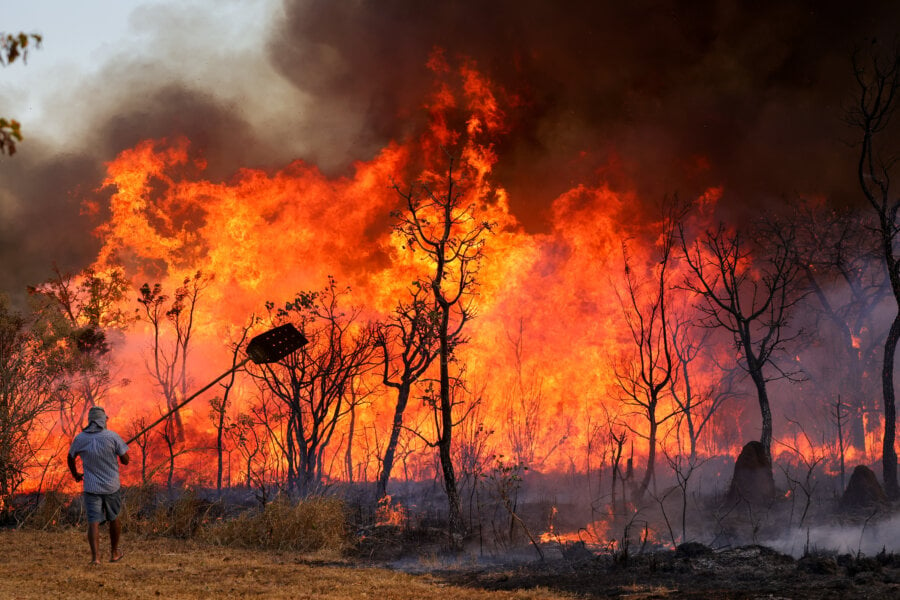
{"x": 661, "y": 97}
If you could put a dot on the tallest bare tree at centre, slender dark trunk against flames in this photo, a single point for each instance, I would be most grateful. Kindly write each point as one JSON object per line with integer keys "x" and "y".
{"x": 439, "y": 218}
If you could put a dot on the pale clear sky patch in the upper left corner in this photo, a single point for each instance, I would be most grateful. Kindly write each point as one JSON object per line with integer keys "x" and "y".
{"x": 80, "y": 38}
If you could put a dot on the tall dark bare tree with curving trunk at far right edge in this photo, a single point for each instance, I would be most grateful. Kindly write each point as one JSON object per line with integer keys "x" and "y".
{"x": 878, "y": 78}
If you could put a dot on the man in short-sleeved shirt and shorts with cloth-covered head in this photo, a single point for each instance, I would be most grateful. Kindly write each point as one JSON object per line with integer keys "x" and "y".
{"x": 99, "y": 449}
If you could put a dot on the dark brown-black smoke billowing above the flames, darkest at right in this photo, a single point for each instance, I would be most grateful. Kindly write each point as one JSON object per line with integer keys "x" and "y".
{"x": 661, "y": 96}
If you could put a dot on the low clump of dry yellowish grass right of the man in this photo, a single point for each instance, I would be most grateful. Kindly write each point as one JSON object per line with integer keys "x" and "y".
{"x": 315, "y": 524}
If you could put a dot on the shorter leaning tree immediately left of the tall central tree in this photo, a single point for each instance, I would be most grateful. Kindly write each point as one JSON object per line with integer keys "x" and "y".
{"x": 409, "y": 345}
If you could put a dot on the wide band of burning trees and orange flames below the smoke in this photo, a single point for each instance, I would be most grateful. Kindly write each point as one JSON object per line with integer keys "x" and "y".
{"x": 644, "y": 374}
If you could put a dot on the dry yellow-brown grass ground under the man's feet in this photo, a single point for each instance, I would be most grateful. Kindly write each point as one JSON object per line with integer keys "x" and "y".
{"x": 45, "y": 564}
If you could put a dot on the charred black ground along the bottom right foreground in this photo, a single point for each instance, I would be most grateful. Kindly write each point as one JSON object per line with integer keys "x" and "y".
{"x": 696, "y": 571}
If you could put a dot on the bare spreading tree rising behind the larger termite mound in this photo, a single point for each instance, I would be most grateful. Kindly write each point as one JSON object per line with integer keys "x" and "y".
{"x": 749, "y": 290}
